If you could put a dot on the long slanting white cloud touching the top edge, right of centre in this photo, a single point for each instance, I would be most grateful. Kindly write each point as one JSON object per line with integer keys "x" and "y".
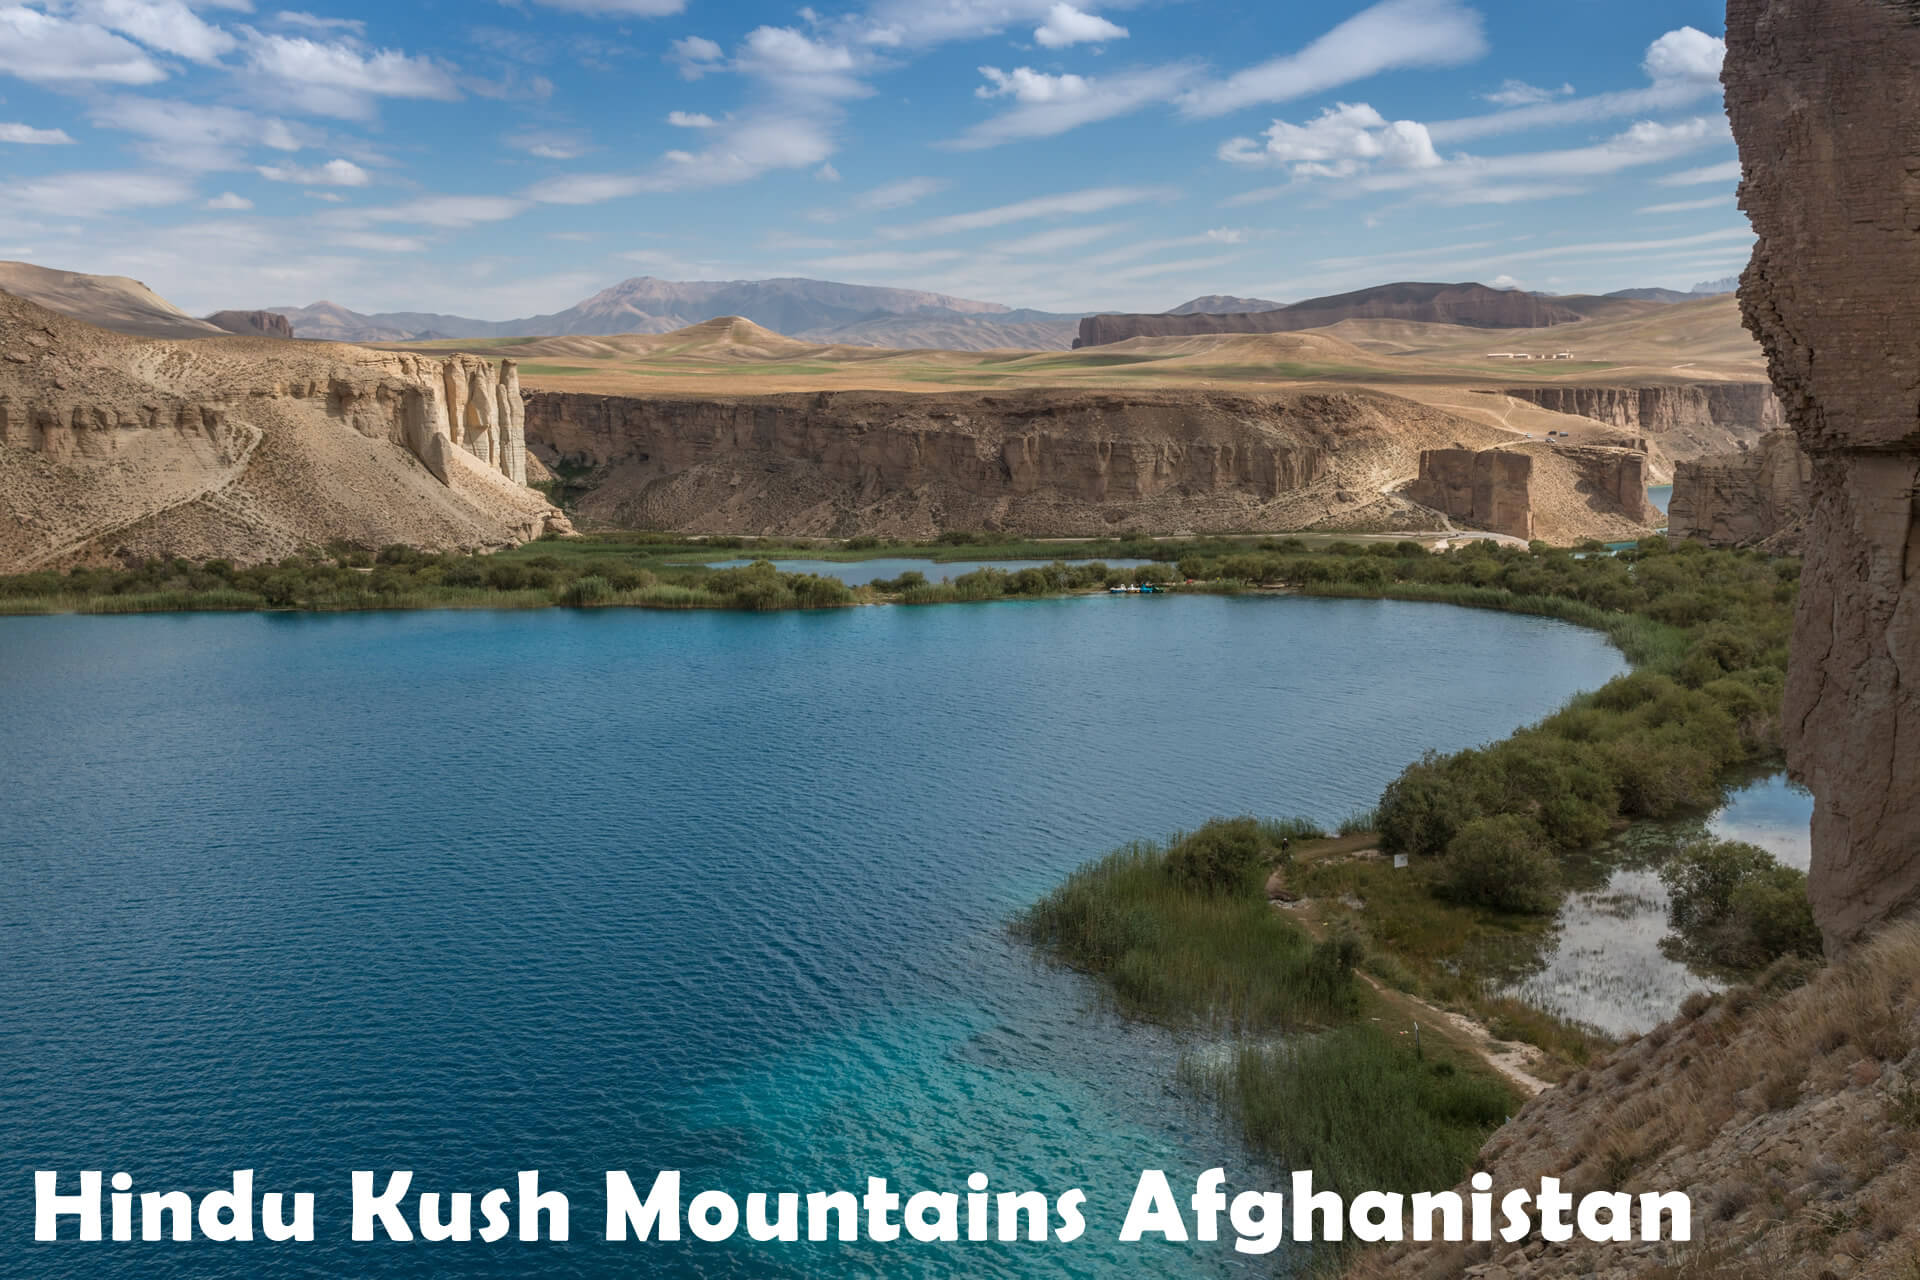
{"x": 1391, "y": 36}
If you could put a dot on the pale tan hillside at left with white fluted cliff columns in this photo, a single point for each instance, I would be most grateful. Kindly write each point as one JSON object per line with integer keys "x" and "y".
{"x": 249, "y": 448}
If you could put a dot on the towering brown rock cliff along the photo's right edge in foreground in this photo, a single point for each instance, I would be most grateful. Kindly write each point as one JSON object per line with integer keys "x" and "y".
{"x": 1827, "y": 110}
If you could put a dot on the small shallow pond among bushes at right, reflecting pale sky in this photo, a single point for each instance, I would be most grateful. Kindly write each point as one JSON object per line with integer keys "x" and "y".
{"x": 1606, "y": 964}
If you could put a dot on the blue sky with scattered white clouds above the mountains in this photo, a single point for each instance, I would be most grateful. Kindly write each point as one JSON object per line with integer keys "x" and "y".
{"x": 502, "y": 158}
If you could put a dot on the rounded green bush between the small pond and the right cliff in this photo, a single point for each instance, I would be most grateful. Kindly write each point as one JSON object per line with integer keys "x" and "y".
{"x": 1737, "y": 907}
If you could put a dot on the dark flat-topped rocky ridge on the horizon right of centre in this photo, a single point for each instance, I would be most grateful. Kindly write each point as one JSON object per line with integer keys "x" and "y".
{"x": 1441, "y": 304}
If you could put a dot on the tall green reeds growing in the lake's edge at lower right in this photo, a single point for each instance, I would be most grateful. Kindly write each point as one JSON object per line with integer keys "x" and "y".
{"x": 1184, "y": 934}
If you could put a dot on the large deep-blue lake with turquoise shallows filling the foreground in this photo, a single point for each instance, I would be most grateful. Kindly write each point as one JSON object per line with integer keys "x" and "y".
{"x": 469, "y": 893}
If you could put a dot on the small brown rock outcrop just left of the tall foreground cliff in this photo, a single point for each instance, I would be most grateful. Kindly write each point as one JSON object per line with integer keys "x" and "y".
{"x": 1744, "y": 500}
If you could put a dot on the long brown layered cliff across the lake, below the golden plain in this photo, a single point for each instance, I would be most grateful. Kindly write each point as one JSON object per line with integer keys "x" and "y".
{"x": 1038, "y": 462}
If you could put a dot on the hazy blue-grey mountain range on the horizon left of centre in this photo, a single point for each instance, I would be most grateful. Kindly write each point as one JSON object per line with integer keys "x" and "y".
{"x": 811, "y": 310}
